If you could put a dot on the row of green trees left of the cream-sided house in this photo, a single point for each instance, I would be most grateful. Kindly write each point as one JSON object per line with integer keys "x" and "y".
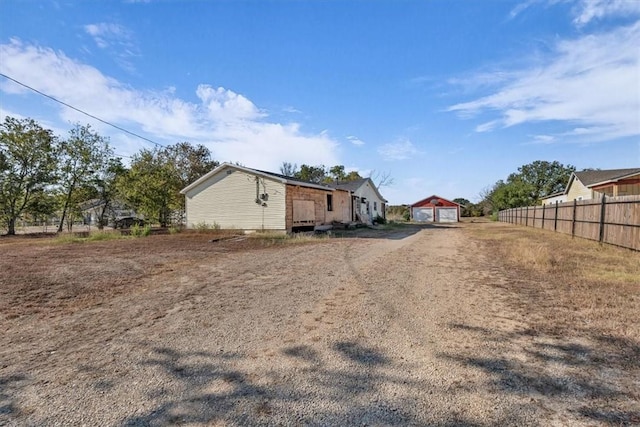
{"x": 42, "y": 175}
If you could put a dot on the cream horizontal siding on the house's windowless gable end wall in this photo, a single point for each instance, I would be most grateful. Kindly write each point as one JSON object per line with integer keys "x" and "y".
{"x": 228, "y": 200}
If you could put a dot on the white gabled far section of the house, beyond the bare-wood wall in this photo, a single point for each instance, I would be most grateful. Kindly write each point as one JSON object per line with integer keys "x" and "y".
{"x": 367, "y": 202}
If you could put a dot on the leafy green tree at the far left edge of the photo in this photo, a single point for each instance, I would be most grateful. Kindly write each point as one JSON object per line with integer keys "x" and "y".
{"x": 27, "y": 166}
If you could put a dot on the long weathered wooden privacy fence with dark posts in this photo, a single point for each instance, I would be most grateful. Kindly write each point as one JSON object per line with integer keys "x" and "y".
{"x": 612, "y": 220}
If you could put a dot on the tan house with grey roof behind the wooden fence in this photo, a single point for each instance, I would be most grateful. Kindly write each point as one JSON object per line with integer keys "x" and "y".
{"x": 592, "y": 184}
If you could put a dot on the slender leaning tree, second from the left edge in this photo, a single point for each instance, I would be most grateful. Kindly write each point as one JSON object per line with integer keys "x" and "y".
{"x": 81, "y": 155}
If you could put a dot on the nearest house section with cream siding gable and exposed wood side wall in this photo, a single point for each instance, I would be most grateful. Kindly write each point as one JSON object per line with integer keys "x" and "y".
{"x": 237, "y": 197}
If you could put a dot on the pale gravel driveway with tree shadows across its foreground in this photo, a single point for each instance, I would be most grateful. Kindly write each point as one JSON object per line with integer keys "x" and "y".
{"x": 396, "y": 331}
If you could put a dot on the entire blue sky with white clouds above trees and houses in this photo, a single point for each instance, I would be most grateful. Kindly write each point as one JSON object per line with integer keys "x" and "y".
{"x": 447, "y": 97}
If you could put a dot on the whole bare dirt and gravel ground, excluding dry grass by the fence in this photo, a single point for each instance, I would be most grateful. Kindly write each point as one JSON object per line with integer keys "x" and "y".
{"x": 418, "y": 326}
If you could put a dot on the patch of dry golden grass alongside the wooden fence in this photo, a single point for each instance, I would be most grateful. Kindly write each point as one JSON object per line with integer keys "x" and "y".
{"x": 565, "y": 284}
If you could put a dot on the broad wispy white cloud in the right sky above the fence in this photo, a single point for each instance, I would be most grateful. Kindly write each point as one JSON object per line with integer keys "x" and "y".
{"x": 592, "y": 81}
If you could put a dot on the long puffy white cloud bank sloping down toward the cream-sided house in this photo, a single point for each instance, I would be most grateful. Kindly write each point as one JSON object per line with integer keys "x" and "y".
{"x": 226, "y": 122}
